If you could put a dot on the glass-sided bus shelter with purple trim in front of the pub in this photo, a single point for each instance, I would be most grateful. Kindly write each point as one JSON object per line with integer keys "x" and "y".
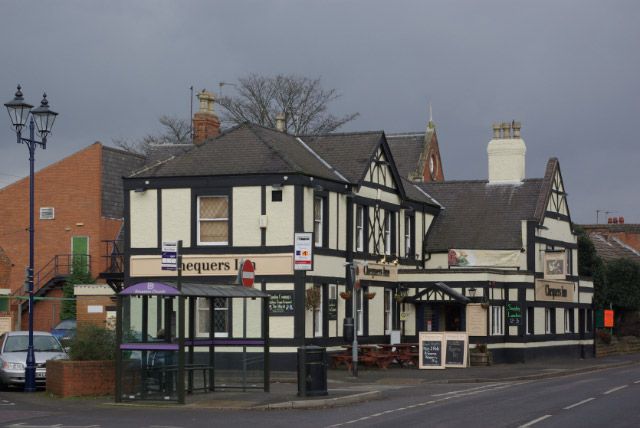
{"x": 172, "y": 340}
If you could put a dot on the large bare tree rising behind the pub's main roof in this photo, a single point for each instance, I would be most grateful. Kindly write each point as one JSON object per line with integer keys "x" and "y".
{"x": 302, "y": 100}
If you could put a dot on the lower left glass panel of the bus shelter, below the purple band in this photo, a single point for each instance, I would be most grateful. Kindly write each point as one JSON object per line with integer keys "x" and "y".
{"x": 149, "y": 375}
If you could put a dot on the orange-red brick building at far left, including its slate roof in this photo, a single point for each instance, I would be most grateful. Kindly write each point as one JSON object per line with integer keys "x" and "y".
{"x": 78, "y": 206}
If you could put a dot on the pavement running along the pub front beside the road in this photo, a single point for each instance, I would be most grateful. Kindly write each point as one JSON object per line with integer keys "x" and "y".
{"x": 343, "y": 389}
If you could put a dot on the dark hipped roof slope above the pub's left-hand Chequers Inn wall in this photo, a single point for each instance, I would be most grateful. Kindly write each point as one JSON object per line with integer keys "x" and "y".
{"x": 244, "y": 149}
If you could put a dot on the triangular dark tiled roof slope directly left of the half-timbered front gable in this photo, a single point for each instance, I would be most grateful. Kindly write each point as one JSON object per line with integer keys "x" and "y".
{"x": 349, "y": 153}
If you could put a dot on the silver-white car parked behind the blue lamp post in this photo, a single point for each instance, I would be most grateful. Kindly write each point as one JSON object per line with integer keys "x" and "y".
{"x": 13, "y": 356}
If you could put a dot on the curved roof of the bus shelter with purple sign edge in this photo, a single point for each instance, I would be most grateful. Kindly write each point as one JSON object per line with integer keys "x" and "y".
{"x": 192, "y": 290}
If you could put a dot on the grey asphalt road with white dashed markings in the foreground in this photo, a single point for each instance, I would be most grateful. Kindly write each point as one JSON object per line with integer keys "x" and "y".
{"x": 597, "y": 399}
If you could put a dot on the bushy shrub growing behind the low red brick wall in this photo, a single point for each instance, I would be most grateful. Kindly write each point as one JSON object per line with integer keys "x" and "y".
{"x": 92, "y": 342}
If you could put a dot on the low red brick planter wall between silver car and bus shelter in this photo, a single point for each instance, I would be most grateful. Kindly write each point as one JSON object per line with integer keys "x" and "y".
{"x": 69, "y": 378}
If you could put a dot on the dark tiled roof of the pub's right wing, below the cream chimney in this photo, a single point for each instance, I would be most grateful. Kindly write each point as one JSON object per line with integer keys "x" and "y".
{"x": 479, "y": 215}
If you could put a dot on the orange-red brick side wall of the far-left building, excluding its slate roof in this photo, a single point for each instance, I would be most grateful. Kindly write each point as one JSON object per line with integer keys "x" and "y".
{"x": 73, "y": 187}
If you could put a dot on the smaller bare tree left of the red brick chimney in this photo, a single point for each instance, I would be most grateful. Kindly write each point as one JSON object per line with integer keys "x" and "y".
{"x": 175, "y": 130}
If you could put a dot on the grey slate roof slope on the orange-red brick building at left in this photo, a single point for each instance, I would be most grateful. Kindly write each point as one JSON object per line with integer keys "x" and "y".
{"x": 115, "y": 165}
